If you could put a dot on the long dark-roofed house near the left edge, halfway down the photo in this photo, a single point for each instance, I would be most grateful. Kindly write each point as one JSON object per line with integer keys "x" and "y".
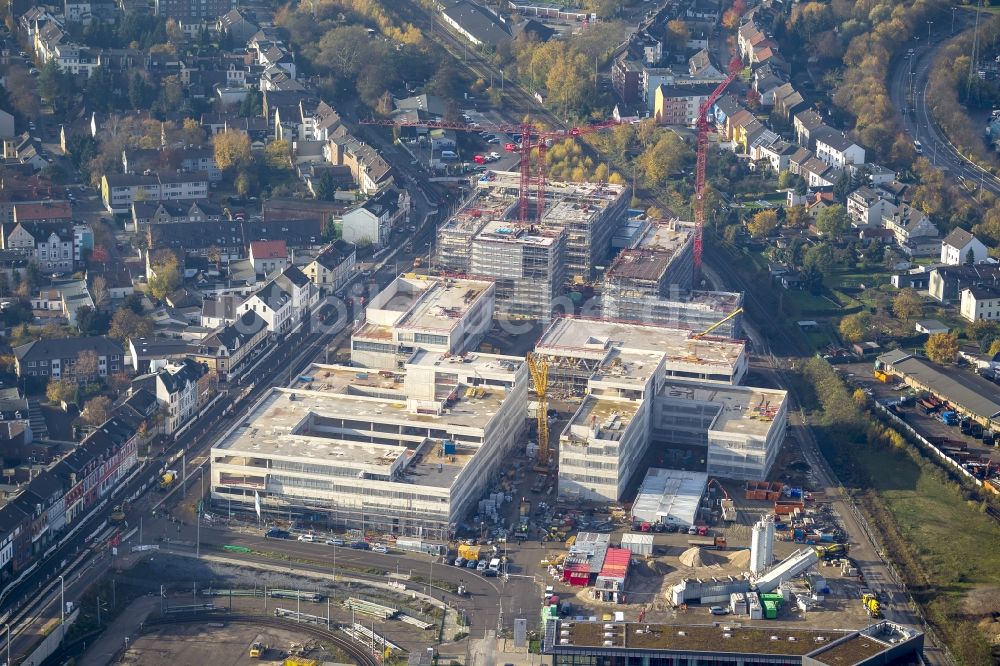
{"x": 57, "y": 358}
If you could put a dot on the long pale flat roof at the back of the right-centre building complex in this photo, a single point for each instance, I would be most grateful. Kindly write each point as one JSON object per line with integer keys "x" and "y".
{"x": 592, "y": 338}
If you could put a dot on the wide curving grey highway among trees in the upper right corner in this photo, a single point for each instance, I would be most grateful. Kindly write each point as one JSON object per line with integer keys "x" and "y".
{"x": 908, "y": 83}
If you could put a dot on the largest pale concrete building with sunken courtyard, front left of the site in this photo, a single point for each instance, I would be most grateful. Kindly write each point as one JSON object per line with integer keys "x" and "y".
{"x": 406, "y": 452}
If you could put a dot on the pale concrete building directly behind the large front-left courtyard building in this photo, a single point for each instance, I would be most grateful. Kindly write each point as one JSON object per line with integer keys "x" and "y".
{"x": 419, "y": 312}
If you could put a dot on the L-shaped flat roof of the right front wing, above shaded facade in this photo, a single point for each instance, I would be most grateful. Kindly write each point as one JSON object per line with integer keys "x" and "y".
{"x": 744, "y": 410}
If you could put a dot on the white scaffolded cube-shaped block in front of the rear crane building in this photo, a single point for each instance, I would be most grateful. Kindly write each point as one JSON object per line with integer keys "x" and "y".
{"x": 527, "y": 266}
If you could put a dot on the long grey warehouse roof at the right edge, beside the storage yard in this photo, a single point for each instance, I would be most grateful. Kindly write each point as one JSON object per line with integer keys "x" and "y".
{"x": 964, "y": 389}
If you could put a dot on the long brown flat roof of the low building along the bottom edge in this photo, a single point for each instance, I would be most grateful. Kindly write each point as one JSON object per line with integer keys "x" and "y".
{"x": 720, "y": 639}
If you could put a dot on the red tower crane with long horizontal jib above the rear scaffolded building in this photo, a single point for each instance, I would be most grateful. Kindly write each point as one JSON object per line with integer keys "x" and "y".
{"x": 531, "y": 138}
